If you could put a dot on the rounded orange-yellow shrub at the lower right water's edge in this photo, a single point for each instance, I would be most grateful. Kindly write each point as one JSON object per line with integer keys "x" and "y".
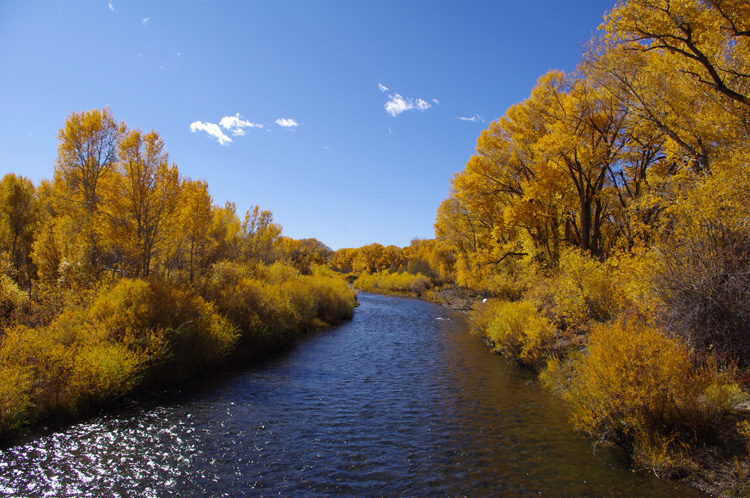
{"x": 639, "y": 388}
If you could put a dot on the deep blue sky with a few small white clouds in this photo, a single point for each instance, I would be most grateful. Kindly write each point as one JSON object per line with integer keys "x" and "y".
{"x": 345, "y": 118}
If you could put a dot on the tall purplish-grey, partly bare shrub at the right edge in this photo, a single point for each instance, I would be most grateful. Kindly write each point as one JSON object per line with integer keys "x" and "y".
{"x": 702, "y": 273}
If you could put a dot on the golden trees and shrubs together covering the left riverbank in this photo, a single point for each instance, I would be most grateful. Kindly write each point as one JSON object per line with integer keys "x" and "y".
{"x": 120, "y": 275}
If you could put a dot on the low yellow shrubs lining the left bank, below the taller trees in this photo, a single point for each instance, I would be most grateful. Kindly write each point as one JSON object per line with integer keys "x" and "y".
{"x": 66, "y": 354}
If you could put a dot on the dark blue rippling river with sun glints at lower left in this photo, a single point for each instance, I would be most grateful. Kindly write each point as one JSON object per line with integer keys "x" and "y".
{"x": 401, "y": 401}
